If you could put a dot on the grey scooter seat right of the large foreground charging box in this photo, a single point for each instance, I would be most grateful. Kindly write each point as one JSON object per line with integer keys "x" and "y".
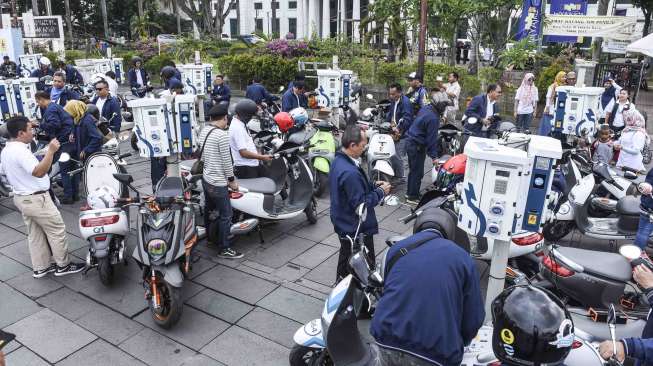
{"x": 609, "y": 265}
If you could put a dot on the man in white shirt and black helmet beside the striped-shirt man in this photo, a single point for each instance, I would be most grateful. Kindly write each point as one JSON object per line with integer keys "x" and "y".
{"x": 243, "y": 150}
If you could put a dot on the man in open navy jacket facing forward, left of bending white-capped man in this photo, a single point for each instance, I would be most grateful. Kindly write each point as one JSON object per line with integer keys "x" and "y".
{"x": 400, "y": 115}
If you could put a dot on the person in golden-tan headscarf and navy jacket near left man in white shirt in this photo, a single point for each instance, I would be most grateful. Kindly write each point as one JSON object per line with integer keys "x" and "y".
{"x": 87, "y": 136}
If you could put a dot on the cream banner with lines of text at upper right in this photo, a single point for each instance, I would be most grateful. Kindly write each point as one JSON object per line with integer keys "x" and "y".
{"x": 621, "y": 28}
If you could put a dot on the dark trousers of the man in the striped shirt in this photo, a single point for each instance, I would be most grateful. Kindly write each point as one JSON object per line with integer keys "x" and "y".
{"x": 217, "y": 213}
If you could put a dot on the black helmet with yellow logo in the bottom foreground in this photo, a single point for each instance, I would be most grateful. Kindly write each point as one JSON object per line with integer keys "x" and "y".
{"x": 531, "y": 326}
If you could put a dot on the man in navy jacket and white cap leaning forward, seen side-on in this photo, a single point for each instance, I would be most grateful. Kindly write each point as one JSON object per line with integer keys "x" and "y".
{"x": 422, "y": 141}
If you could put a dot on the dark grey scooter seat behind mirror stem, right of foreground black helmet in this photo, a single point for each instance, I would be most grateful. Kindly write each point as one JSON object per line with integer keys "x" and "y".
{"x": 598, "y": 332}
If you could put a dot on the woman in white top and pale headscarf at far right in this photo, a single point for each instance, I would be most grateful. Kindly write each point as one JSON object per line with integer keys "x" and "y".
{"x": 632, "y": 140}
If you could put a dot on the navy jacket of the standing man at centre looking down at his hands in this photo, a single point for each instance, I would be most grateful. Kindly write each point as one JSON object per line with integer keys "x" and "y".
{"x": 349, "y": 188}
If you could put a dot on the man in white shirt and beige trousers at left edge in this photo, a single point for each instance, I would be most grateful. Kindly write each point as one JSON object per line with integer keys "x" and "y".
{"x": 46, "y": 230}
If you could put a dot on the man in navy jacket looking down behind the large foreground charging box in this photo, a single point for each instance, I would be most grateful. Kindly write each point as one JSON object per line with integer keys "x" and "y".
{"x": 483, "y": 112}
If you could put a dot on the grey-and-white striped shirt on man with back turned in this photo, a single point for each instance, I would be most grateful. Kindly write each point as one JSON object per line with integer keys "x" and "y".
{"x": 218, "y": 165}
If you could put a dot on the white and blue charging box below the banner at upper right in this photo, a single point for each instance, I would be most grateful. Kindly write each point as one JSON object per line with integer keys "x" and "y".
{"x": 576, "y": 110}
